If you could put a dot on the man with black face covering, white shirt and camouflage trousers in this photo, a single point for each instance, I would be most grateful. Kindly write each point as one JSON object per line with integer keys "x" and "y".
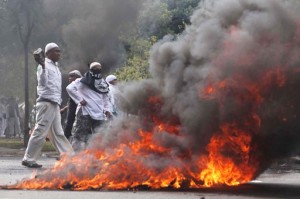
{"x": 91, "y": 93}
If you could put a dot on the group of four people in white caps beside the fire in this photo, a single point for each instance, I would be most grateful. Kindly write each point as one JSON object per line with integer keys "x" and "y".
{"x": 91, "y": 104}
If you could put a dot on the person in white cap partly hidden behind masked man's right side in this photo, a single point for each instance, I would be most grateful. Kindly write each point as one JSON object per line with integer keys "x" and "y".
{"x": 113, "y": 92}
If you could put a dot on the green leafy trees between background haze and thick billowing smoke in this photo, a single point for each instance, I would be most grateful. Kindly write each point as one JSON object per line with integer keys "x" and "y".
{"x": 158, "y": 19}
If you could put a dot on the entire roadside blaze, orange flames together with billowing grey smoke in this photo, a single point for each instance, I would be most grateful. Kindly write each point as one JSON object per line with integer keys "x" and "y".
{"x": 222, "y": 105}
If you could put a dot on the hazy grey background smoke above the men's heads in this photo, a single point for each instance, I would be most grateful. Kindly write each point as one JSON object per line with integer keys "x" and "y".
{"x": 91, "y": 29}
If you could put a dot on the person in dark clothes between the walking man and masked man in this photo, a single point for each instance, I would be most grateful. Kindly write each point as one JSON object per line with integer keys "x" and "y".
{"x": 71, "y": 107}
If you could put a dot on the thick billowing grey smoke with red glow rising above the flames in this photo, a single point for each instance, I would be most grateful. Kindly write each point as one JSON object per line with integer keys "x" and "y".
{"x": 237, "y": 42}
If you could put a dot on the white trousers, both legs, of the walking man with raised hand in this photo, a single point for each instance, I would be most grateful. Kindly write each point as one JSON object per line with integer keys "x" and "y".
{"x": 48, "y": 123}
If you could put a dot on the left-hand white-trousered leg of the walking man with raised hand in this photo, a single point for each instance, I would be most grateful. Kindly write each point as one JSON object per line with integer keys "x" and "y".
{"x": 44, "y": 118}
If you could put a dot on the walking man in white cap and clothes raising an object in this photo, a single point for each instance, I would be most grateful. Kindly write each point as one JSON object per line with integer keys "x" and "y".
{"x": 48, "y": 118}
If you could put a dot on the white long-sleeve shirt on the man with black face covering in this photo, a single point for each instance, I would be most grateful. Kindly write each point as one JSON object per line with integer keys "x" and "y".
{"x": 97, "y": 103}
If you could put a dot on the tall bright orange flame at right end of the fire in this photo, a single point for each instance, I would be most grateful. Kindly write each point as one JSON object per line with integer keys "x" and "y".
{"x": 223, "y": 170}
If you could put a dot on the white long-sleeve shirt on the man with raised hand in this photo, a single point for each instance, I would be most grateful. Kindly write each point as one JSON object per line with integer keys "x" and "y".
{"x": 49, "y": 82}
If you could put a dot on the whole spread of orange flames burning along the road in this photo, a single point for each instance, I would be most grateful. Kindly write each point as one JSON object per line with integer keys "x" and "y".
{"x": 124, "y": 166}
